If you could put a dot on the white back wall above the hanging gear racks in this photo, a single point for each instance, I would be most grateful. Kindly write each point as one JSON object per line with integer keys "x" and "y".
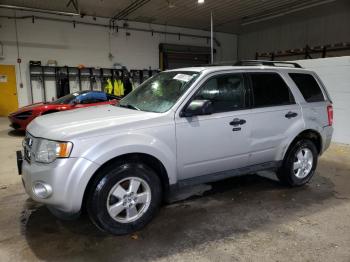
{"x": 89, "y": 45}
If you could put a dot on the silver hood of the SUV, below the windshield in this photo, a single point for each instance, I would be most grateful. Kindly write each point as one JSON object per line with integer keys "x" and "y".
{"x": 88, "y": 121}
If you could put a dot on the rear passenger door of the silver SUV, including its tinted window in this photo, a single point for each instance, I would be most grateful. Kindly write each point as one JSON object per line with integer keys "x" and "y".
{"x": 275, "y": 116}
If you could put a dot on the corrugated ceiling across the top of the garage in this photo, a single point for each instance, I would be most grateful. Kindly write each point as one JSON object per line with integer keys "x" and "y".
{"x": 229, "y": 15}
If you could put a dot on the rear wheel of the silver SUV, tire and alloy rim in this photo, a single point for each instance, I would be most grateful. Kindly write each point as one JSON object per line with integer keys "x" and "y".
{"x": 290, "y": 176}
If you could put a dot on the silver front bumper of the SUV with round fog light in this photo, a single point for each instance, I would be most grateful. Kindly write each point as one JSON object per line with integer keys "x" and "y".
{"x": 67, "y": 178}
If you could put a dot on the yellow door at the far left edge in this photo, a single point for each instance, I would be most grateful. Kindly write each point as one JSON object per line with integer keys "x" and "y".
{"x": 8, "y": 90}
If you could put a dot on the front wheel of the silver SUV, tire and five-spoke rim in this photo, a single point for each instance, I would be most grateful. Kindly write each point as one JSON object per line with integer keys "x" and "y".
{"x": 112, "y": 191}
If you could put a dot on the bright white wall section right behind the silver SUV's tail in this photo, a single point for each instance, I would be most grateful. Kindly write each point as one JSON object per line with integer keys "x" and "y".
{"x": 335, "y": 74}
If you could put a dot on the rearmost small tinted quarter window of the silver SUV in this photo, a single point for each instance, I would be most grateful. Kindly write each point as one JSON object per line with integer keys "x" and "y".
{"x": 308, "y": 87}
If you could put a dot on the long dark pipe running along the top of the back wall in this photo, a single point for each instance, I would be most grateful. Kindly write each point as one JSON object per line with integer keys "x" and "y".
{"x": 108, "y": 26}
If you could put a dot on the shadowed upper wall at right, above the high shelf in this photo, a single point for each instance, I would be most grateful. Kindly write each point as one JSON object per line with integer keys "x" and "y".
{"x": 329, "y": 29}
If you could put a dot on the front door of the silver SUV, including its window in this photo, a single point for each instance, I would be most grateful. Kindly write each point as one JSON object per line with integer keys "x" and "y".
{"x": 208, "y": 144}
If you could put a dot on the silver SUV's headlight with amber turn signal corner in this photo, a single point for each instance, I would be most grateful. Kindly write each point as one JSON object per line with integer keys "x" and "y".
{"x": 48, "y": 150}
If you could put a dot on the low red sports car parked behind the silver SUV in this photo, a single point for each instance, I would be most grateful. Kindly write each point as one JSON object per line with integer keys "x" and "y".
{"x": 23, "y": 116}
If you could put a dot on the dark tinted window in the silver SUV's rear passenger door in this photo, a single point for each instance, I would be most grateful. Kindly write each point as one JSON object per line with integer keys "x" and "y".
{"x": 269, "y": 89}
